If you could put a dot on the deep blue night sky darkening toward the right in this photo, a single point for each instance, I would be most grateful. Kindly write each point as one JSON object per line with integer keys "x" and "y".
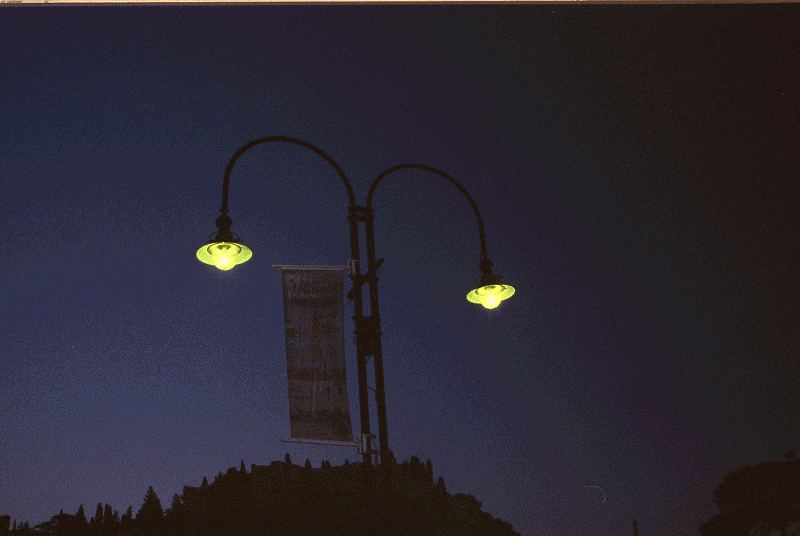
{"x": 638, "y": 172}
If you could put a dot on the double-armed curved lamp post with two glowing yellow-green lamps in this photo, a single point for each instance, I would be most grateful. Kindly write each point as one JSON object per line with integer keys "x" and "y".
{"x": 225, "y": 250}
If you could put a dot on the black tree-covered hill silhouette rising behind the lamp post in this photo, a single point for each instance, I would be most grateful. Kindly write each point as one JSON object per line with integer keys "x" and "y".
{"x": 287, "y": 500}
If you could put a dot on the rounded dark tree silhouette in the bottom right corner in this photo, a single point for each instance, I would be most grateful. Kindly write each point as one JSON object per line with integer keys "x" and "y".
{"x": 758, "y": 500}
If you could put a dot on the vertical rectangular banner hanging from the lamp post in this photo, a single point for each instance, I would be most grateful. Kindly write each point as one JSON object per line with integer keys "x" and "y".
{"x": 314, "y": 322}
